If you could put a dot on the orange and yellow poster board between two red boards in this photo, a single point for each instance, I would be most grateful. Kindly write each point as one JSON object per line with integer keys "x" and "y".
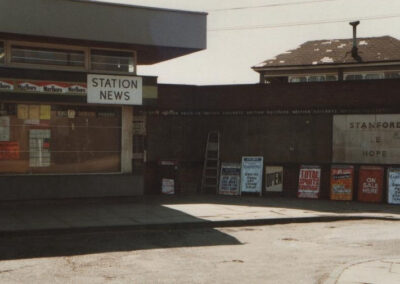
{"x": 342, "y": 182}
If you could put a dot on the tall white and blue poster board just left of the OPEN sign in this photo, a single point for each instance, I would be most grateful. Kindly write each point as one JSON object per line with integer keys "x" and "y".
{"x": 251, "y": 174}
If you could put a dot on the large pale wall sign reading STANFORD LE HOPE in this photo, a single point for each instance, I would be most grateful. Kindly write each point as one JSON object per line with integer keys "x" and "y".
{"x": 372, "y": 139}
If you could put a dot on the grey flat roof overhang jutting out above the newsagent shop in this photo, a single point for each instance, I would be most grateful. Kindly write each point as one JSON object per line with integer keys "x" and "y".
{"x": 156, "y": 34}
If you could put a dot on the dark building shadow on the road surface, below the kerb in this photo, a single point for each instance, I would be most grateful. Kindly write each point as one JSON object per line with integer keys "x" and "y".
{"x": 111, "y": 240}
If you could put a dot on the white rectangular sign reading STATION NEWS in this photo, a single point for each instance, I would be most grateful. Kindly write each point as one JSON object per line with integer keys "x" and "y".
{"x": 118, "y": 90}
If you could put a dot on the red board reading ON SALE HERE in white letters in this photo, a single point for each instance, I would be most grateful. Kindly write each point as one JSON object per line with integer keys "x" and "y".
{"x": 370, "y": 184}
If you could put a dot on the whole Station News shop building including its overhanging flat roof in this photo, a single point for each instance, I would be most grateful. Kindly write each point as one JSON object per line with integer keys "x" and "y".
{"x": 69, "y": 93}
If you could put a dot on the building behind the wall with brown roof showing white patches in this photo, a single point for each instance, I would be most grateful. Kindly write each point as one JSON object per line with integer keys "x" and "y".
{"x": 334, "y": 60}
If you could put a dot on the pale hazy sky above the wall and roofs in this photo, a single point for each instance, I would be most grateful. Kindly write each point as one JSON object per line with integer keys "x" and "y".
{"x": 243, "y": 33}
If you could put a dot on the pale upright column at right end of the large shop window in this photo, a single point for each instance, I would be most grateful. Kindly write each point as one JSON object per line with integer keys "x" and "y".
{"x": 126, "y": 139}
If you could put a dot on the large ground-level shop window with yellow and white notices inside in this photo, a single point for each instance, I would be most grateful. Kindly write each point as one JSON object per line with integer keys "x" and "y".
{"x": 59, "y": 139}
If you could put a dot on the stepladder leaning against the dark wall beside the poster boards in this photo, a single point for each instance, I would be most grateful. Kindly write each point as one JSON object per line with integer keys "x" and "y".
{"x": 209, "y": 181}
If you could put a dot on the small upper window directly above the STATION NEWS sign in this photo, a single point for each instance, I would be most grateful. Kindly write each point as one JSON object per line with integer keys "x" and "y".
{"x": 114, "y": 61}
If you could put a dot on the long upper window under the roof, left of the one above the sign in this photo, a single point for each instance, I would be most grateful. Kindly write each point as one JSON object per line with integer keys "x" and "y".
{"x": 47, "y": 56}
